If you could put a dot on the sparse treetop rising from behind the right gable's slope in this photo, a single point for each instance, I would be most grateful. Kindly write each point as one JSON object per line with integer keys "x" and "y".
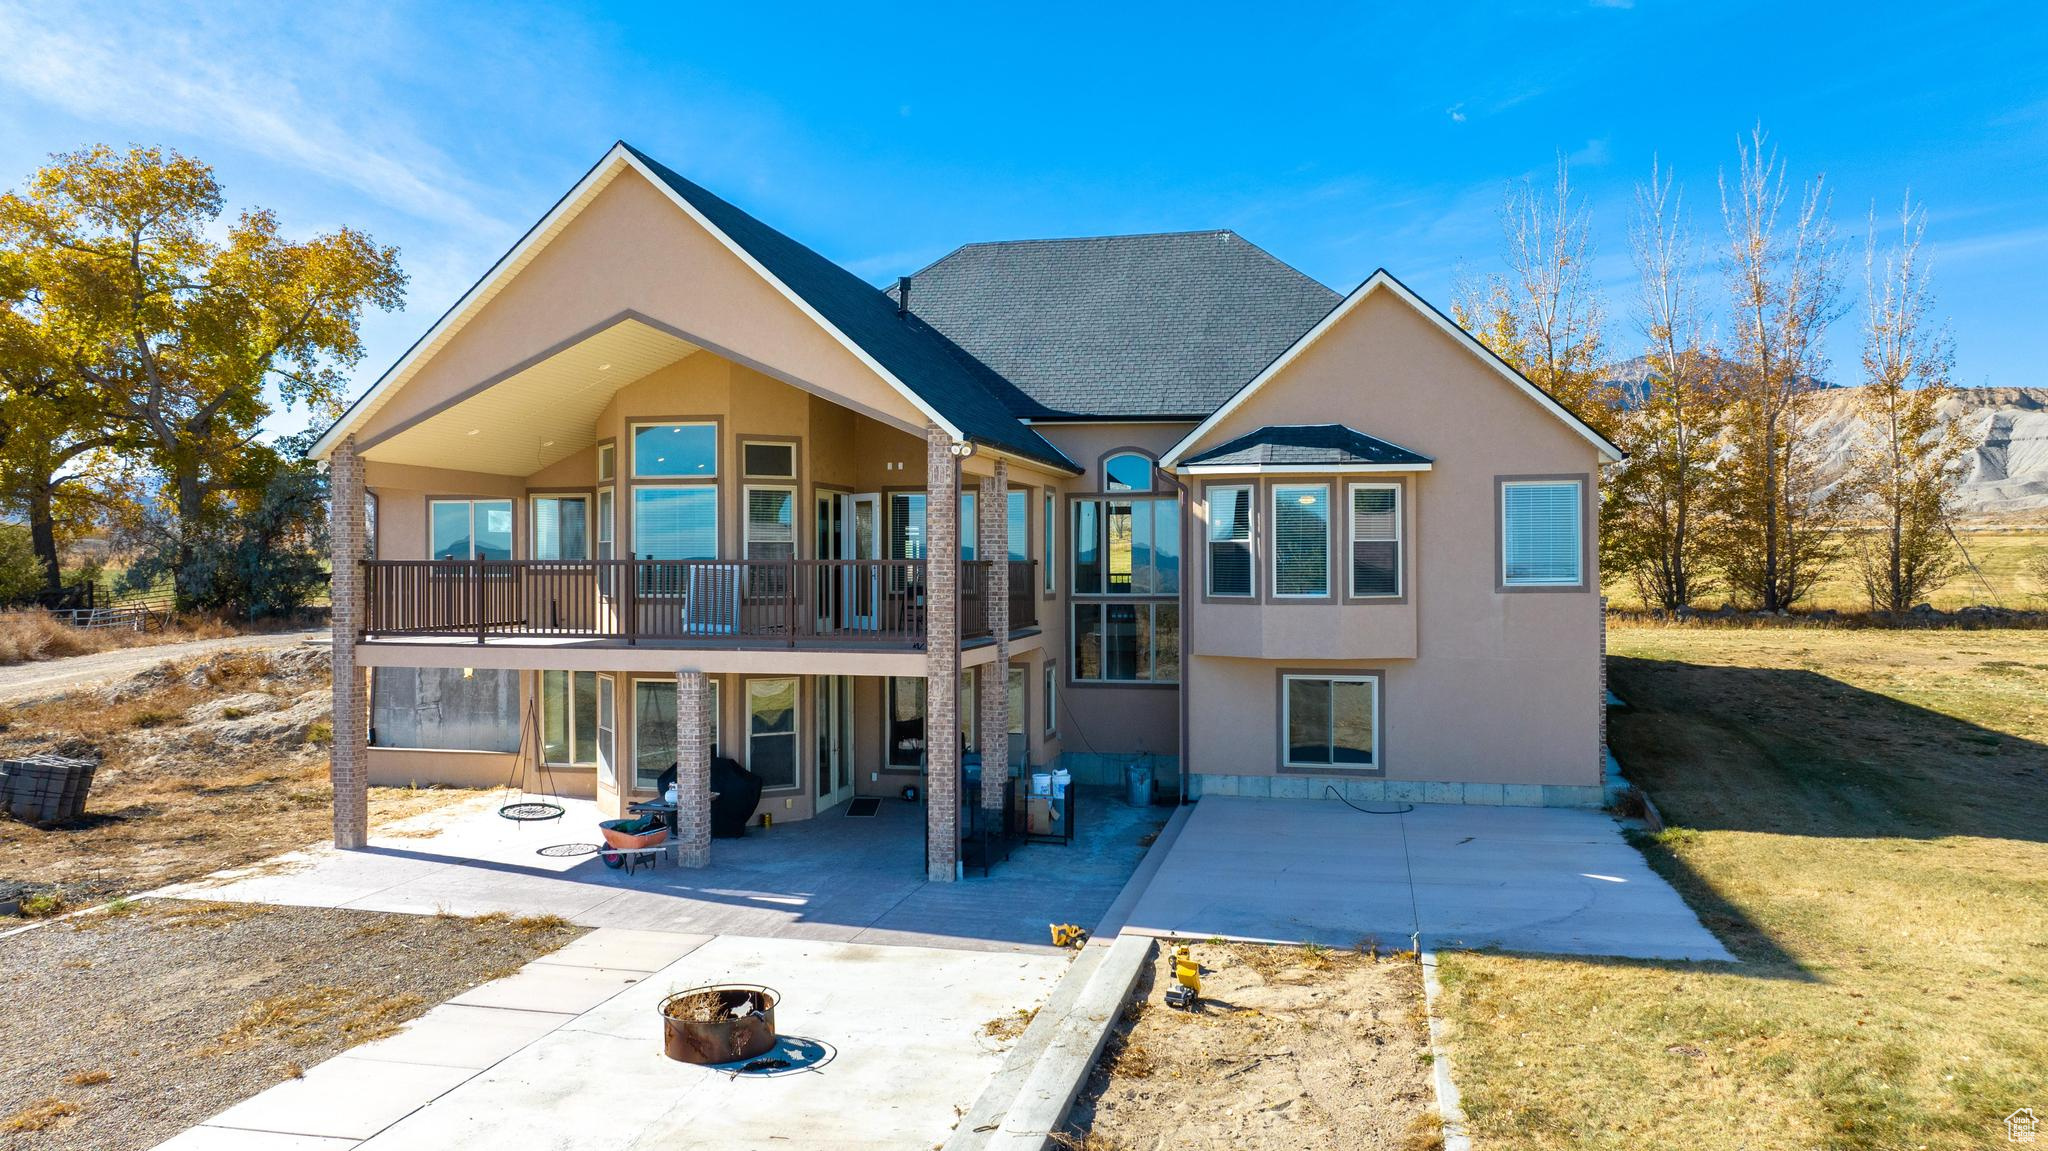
{"x": 1545, "y": 316}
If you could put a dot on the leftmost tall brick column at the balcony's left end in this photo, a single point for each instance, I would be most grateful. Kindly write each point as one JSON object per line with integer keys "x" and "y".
{"x": 349, "y": 755}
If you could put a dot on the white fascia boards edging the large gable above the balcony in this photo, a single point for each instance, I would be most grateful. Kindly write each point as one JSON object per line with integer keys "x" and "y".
{"x": 572, "y": 204}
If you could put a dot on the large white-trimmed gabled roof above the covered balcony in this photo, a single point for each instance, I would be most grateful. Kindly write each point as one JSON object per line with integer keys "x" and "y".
{"x": 951, "y": 388}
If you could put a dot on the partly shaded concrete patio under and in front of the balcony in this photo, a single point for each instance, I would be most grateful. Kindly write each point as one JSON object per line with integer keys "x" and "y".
{"x": 833, "y": 878}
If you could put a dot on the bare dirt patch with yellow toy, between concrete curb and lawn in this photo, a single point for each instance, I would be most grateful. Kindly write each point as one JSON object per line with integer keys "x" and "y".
{"x": 1289, "y": 1050}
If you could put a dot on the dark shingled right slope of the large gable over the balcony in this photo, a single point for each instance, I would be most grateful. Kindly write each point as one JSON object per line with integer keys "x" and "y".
{"x": 923, "y": 359}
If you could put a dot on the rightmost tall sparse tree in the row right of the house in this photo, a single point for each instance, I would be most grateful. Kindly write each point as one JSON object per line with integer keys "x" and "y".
{"x": 1910, "y": 462}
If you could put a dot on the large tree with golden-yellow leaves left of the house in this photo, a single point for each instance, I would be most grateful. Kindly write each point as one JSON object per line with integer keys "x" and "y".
{"x": 189, "y": 333}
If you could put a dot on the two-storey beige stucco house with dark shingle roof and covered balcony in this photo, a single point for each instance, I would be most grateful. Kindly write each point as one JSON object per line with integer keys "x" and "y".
{"x": 669, "y": 484}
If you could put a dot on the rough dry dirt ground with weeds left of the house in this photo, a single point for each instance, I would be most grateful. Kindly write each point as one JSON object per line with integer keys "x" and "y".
{"x": 206, "y": 765}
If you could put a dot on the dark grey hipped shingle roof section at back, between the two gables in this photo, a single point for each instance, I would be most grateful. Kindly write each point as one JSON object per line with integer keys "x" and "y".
{"x": 1121, "y": 325}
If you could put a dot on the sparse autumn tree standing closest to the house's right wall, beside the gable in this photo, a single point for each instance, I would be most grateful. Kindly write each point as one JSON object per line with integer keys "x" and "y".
{"x": 1658, "y": 519}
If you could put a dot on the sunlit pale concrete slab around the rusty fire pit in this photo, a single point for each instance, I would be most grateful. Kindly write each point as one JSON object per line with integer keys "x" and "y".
{"x": 886, "y": 1050}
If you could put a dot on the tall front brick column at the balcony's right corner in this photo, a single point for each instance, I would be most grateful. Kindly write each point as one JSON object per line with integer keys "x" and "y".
{"x": 941, "y": 656}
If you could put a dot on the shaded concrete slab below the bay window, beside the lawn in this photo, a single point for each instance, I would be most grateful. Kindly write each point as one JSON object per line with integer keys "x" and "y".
{"x": 1463, "y": 878}
